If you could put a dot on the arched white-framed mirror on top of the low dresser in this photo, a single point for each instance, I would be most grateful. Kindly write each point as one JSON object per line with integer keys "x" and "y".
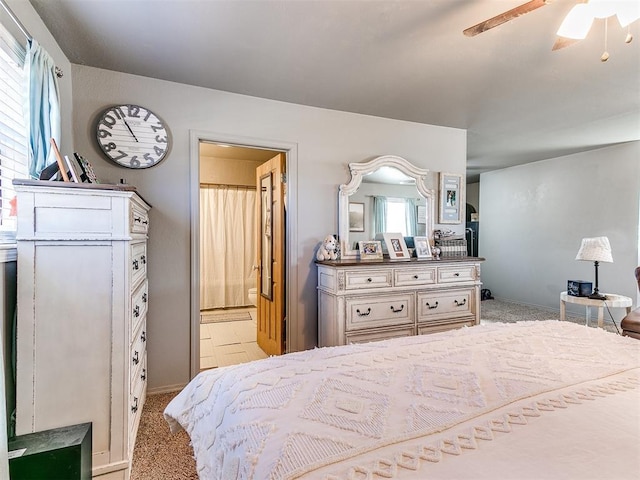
{"x": 382, "y": 191}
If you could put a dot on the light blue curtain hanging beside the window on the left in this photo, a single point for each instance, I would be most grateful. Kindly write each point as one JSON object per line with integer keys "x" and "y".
{"x": 42, "y": 111}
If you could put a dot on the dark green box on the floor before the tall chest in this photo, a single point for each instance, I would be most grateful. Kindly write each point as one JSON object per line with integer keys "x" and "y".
{"x": 58, "y": 454}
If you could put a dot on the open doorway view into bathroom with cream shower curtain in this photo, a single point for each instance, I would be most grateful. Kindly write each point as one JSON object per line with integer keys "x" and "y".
{"x": 229, "y": 263}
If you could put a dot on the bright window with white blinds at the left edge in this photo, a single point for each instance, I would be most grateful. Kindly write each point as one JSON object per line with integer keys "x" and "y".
{"x": 13, "y": 139}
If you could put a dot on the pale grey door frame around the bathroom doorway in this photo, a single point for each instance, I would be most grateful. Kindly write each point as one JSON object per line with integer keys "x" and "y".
{"x": 293, "y": 338}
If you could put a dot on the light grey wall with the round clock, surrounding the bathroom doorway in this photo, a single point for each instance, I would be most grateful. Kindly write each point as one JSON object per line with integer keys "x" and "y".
{"x": 327, "y": 141}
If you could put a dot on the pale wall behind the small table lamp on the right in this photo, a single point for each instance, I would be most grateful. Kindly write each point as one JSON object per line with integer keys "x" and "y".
{"x": 533, "y": 218}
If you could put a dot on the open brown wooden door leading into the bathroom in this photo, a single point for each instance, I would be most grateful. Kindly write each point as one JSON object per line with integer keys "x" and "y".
{"x": 271, "y": 240}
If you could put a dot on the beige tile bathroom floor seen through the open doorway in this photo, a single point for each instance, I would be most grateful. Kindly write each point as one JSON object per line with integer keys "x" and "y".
{"x": 229, "y": 342}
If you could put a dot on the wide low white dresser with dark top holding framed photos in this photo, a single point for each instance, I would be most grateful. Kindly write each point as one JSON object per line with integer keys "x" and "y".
{"x": 362, "y": 301}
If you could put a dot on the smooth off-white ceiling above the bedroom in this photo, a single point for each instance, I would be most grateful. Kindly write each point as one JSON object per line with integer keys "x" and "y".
{"x": 407, "y": 60}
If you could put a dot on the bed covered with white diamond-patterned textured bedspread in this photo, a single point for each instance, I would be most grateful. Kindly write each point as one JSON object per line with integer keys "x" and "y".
{"x": 542, "y": 399}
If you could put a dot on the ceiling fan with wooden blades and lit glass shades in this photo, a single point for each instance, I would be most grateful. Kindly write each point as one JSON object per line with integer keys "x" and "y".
{"x": 576, "y": 24}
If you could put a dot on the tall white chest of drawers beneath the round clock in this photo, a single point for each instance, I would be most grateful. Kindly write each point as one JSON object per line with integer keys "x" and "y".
{"x": 82, "y": 304}
